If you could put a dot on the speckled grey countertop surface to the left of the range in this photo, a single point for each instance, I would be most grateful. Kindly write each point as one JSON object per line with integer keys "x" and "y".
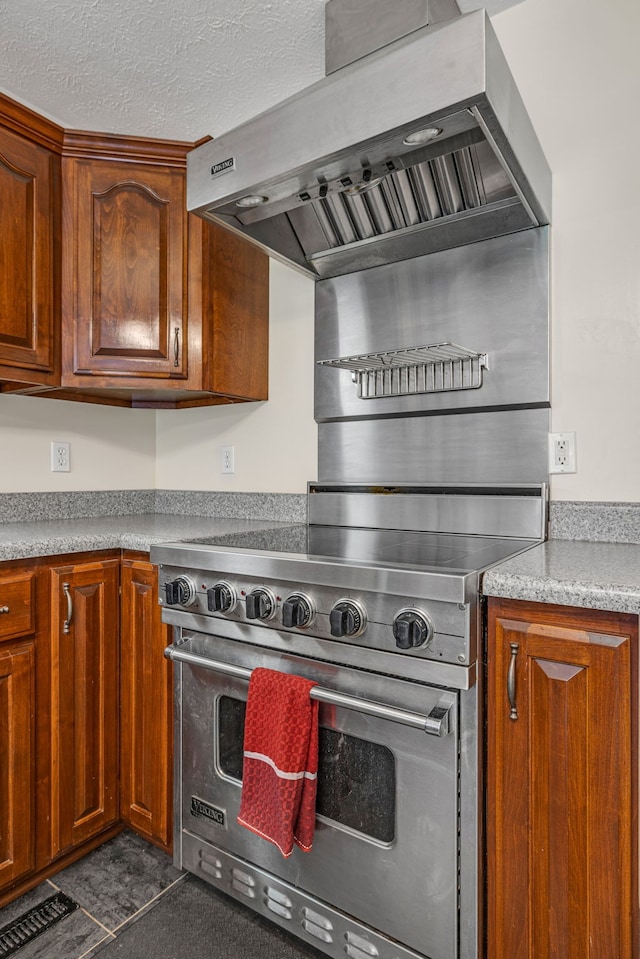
{"x": 23, "y": 540}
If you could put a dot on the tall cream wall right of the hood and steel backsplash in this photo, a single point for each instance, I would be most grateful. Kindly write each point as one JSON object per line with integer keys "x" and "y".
{"x": 576, "y": 64}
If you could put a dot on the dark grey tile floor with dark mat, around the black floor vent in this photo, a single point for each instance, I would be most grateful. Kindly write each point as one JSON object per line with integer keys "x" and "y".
{"x": 135, "y": 905}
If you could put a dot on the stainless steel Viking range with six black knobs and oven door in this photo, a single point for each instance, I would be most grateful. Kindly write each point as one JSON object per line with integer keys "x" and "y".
{"x": 387, "y": 622}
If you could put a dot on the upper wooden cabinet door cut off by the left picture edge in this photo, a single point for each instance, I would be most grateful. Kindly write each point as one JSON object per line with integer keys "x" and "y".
{"x": 28, "y": 217}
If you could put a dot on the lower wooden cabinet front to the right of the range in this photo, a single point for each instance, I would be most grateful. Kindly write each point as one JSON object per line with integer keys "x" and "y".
{"x": 559, "y": 784}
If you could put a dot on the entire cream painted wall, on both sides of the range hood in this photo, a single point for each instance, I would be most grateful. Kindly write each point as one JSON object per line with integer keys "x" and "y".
{"x": 576, "y": 66}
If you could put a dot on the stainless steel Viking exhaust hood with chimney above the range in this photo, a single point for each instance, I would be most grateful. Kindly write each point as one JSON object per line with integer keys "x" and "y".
{"x": 422, "y": 145}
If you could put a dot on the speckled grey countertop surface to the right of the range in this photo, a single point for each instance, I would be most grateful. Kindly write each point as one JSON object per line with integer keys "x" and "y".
{"x": 595, "y": 575}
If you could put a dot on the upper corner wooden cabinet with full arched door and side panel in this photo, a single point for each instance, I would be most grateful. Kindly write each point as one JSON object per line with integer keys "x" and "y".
{"x": 158, "y": 308}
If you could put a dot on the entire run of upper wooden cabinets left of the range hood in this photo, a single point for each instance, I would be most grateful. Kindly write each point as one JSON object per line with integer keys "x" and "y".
{"x": 109, "y": 291}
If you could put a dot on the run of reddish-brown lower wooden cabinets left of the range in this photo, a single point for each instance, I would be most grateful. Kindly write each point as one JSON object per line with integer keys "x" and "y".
{"x": 85, "y": 711}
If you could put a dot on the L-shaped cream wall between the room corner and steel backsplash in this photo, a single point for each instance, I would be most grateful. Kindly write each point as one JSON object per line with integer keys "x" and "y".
{"x": 275, "y": 442}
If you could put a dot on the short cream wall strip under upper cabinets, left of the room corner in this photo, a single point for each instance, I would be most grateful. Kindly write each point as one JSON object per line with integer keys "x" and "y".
{"x": 111, "y": 448}
